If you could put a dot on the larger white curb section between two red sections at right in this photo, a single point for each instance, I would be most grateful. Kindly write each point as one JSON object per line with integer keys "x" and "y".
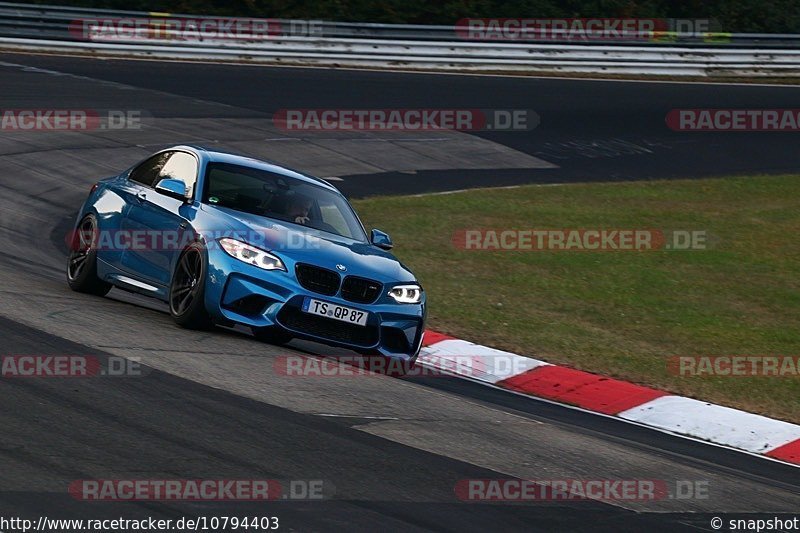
{"x": 723, "y": 425}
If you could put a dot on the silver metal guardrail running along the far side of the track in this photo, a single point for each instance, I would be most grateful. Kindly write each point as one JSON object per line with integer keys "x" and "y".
{"x": 47, "y": 28}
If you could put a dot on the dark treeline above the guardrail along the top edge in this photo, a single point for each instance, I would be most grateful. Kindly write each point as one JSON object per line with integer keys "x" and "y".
{"x": 759, "y": 16}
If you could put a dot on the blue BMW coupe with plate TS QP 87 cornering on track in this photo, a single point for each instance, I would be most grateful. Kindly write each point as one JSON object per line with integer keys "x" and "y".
{"x": 226, "y": 239}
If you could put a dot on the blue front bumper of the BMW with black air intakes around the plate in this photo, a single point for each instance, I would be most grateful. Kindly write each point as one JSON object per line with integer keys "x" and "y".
{"x": 243, "y": 294}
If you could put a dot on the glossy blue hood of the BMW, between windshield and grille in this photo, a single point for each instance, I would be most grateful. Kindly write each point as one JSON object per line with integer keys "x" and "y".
{"x": 290, "y": 241}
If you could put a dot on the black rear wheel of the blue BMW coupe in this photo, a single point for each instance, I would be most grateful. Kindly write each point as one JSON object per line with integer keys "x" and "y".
{"x": 82, "y": 260}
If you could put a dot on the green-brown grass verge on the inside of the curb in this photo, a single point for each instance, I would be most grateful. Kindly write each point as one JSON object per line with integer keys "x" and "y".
{"x": 621, "y": 314}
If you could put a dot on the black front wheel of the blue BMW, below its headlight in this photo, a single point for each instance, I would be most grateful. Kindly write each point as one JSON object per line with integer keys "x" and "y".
{"x": 188, "y": 288}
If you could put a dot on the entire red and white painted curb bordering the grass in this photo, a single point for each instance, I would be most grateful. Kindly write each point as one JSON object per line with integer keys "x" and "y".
{"x": 643, "y": 405}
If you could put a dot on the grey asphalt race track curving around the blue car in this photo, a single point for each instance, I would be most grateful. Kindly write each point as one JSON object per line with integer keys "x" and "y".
{"x": 390, "y": 451}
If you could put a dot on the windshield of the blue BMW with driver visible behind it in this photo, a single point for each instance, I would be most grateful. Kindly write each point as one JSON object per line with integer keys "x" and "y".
{"x": 276, "y": 196}
